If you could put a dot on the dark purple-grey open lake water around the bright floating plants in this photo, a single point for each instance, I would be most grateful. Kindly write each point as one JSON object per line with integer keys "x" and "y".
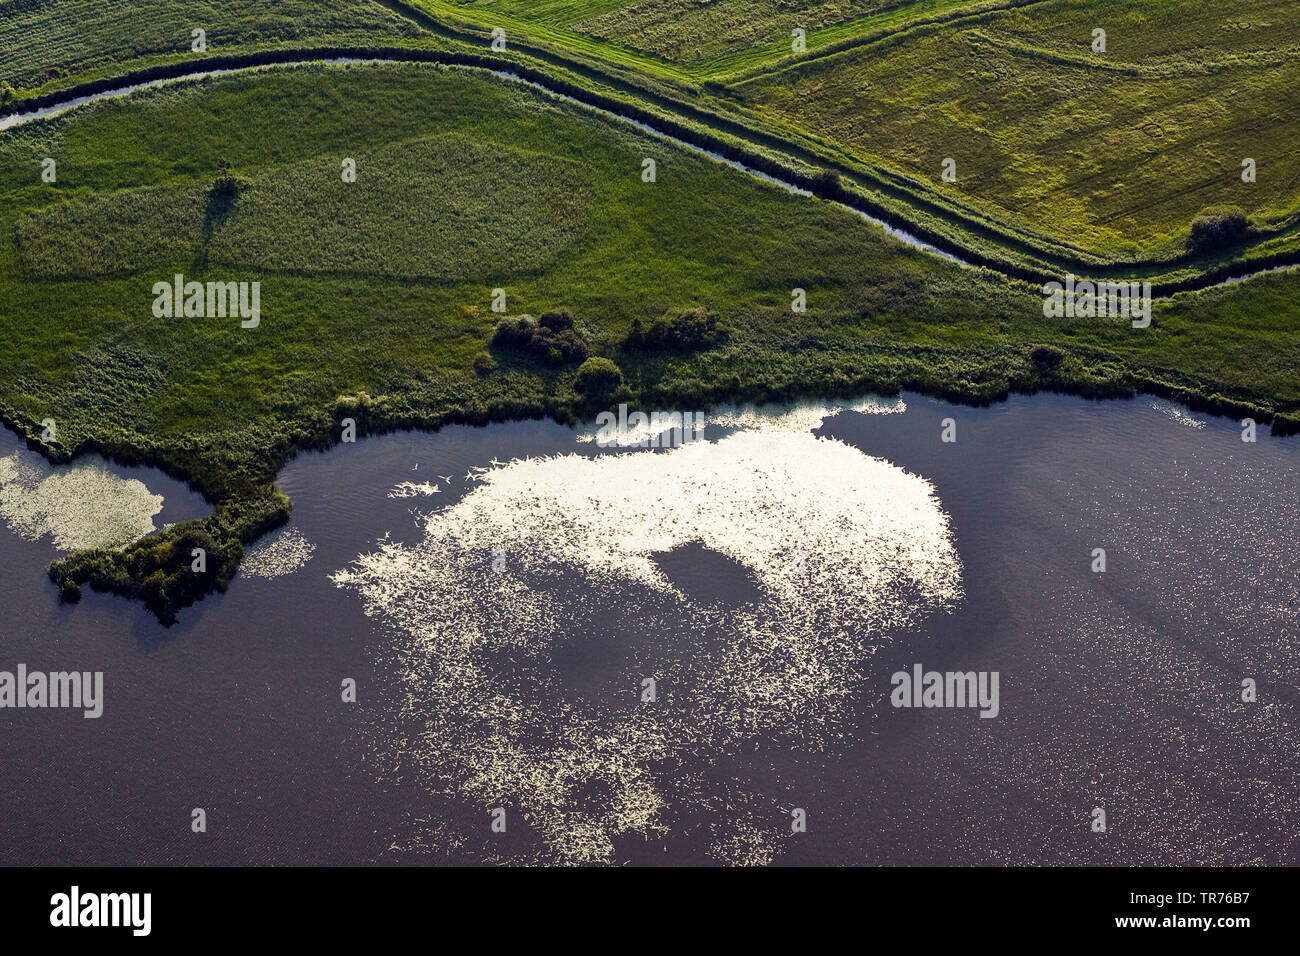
{"x": 1119, "y": 690}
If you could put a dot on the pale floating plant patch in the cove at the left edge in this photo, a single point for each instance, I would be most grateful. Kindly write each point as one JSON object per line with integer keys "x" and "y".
{"x": 80, "y": 505}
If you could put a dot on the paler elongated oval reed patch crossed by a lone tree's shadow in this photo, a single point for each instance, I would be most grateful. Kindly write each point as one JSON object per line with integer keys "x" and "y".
{"x": 418, "y": 210}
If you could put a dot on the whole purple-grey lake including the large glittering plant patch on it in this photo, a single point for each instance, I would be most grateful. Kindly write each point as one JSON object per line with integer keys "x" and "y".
{"x": 500, "y": 596}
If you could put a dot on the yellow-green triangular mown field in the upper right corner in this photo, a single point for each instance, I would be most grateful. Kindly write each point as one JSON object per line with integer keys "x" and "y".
{"x": 1117, "y": 152}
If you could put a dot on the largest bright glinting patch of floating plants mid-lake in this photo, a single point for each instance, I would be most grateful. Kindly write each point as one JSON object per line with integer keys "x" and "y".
{"x": 552, "y": 561}
